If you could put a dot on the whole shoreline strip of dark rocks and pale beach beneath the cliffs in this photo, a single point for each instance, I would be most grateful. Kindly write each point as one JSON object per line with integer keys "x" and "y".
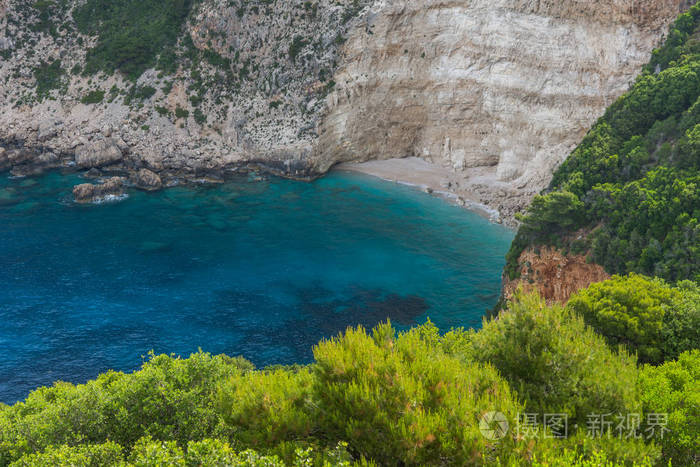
{"x": 477, "y": 190}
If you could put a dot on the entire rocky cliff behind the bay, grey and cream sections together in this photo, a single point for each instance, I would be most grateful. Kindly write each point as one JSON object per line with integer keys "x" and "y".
{"x": 499, "y": 91}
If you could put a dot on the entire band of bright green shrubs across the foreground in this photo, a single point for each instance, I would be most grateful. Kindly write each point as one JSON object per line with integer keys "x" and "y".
{"x": 414, "y": 398}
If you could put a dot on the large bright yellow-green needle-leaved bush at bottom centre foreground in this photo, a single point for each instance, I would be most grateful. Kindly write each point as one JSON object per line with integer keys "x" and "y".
{"x": 404, "y": 401}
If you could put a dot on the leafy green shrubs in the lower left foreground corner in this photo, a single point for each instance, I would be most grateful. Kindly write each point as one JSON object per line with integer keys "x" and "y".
{"x": 169, "y": 399}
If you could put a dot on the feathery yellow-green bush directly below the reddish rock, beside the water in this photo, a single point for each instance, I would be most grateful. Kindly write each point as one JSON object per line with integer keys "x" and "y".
{"x": 555, "y": 362}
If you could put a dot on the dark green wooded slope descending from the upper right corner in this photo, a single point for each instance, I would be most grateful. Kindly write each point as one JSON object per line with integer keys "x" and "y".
{"x": 629, "y": 195}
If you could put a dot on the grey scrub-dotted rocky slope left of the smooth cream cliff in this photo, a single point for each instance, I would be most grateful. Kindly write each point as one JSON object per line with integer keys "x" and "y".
{"x": 254, "y": 95}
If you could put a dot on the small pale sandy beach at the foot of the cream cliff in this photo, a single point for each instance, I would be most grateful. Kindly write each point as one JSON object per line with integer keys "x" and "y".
{"x": 430, "y": 178}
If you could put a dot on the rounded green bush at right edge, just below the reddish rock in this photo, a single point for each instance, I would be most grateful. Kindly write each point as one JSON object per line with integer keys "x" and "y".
{"x": 648, "y": 316}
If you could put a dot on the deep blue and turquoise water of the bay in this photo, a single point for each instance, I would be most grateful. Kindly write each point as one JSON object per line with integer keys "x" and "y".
{"x": 259, "y": 269}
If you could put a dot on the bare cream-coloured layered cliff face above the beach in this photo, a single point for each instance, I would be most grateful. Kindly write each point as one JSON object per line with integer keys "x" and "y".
{"x": 499, "y": 90}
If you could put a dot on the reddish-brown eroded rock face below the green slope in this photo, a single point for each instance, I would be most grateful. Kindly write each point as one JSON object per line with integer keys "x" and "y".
{"x": 554, "y": 275}
